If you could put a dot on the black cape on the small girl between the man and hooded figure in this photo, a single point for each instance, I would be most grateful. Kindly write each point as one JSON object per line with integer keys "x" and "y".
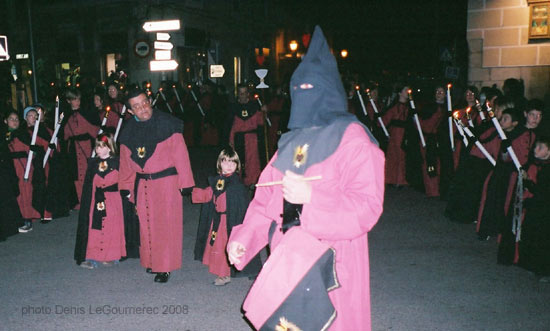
{"x": 237, "y": 201}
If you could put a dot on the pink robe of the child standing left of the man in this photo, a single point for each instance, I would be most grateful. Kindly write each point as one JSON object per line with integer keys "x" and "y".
{"x": 107, "y": 244}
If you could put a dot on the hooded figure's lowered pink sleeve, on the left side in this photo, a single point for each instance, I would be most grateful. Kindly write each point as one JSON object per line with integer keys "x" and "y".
{"x": 253, "y": 232}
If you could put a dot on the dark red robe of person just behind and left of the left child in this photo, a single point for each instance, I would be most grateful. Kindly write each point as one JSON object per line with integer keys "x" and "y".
{"x": 77, "y": 125}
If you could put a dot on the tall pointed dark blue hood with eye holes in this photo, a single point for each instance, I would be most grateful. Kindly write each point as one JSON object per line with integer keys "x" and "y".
{"x": 318, "y": 96}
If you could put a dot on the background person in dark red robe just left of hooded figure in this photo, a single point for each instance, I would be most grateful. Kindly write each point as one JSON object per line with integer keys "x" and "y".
{"x": 247, "y": 136}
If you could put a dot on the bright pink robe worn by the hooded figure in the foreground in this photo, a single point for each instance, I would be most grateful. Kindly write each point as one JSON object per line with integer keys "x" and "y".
{"x": 345, "y": 204}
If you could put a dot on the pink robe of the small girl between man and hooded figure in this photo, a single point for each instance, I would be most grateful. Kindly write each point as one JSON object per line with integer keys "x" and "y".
{"x": 214, "y": 256}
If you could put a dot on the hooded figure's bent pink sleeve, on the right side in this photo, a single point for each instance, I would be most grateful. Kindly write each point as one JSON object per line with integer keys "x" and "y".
{"x": 352, "y": 206}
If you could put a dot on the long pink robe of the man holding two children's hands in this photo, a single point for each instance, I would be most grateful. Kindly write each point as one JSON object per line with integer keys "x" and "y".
{"x": 159, "y": 202}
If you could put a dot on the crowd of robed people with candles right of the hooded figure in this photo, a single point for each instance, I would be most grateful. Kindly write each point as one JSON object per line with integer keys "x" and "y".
{"x": 486, "y": 152}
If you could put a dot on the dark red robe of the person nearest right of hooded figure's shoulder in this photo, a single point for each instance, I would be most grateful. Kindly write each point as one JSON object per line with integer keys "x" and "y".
{"x": 395, "y": 155}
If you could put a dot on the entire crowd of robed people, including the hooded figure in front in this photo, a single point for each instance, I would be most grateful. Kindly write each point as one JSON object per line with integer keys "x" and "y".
{"x": 121, "y": 160}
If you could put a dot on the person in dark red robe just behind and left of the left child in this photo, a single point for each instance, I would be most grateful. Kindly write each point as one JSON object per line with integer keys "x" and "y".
{"x": 80, "y": 131}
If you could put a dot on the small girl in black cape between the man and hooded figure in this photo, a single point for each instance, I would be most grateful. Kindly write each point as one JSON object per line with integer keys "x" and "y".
{"x": 224, "y": 204}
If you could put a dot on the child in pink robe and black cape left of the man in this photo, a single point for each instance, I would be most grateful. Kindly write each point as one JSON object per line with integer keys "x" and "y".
{"x": 100, "y": 231}
